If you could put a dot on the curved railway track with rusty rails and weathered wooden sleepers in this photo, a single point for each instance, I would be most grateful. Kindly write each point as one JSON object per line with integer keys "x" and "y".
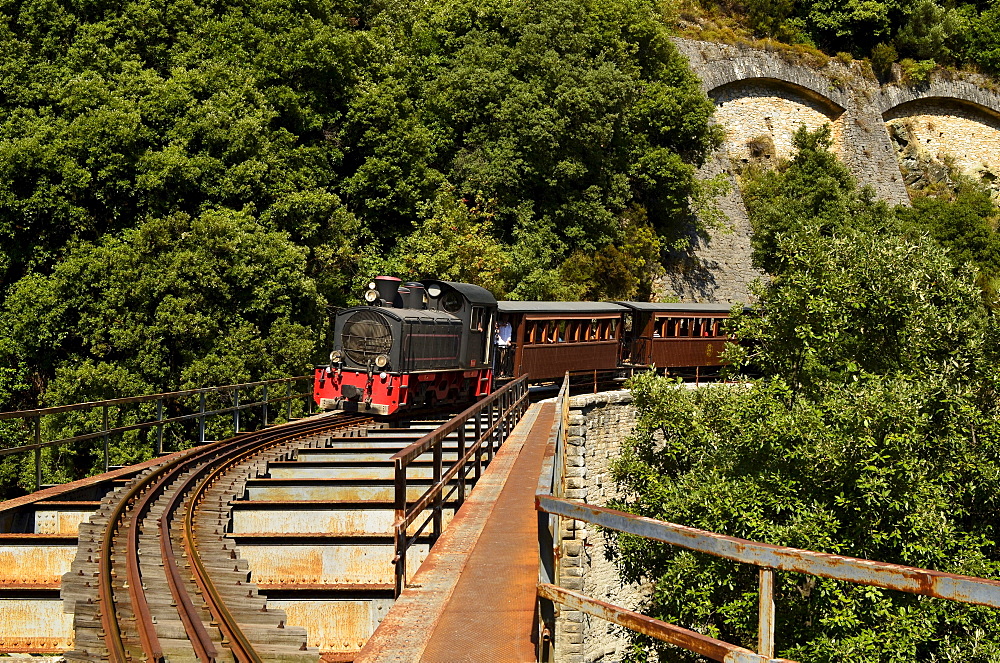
{"x": 156, "y": 578}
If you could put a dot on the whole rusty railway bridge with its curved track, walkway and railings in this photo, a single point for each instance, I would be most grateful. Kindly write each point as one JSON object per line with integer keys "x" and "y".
{"x": 449, "y": 537}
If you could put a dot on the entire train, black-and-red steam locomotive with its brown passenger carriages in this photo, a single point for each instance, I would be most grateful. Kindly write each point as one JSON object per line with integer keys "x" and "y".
{"x": 433, "y": 342}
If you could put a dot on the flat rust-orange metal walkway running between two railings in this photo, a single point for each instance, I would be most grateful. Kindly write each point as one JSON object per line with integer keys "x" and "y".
{"x": 474, "y": 597}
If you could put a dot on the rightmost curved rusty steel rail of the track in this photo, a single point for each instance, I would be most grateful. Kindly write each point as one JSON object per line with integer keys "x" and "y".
{"x": 239, "y": 644}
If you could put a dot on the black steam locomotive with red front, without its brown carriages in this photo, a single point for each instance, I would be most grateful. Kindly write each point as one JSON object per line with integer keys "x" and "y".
{"x": 421, "y": 344}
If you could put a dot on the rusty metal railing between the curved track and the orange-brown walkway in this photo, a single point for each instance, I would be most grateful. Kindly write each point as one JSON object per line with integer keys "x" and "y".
{"x": 492, "y": 419}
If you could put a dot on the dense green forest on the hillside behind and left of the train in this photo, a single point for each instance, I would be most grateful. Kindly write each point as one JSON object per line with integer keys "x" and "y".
{"x": 185, "y": 187}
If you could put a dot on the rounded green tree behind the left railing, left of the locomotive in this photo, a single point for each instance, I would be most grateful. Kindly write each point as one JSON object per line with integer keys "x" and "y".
{"x": 176, "y": 303}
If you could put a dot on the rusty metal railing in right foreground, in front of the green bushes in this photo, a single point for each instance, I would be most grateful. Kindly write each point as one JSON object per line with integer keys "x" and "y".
{"x": 768, "y": 558}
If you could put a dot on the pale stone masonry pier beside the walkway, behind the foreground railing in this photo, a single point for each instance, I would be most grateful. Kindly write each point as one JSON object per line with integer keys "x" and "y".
{"x": 598, "y": 424}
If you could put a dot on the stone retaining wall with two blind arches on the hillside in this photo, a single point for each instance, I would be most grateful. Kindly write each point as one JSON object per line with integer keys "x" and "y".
{"x": 762, "y": 97}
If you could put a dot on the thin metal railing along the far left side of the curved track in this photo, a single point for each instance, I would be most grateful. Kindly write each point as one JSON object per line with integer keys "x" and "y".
{"x": 271, "y": 394}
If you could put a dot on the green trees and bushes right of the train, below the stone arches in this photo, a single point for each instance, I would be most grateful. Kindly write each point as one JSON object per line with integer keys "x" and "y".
{"x": 873, "y": 435}
